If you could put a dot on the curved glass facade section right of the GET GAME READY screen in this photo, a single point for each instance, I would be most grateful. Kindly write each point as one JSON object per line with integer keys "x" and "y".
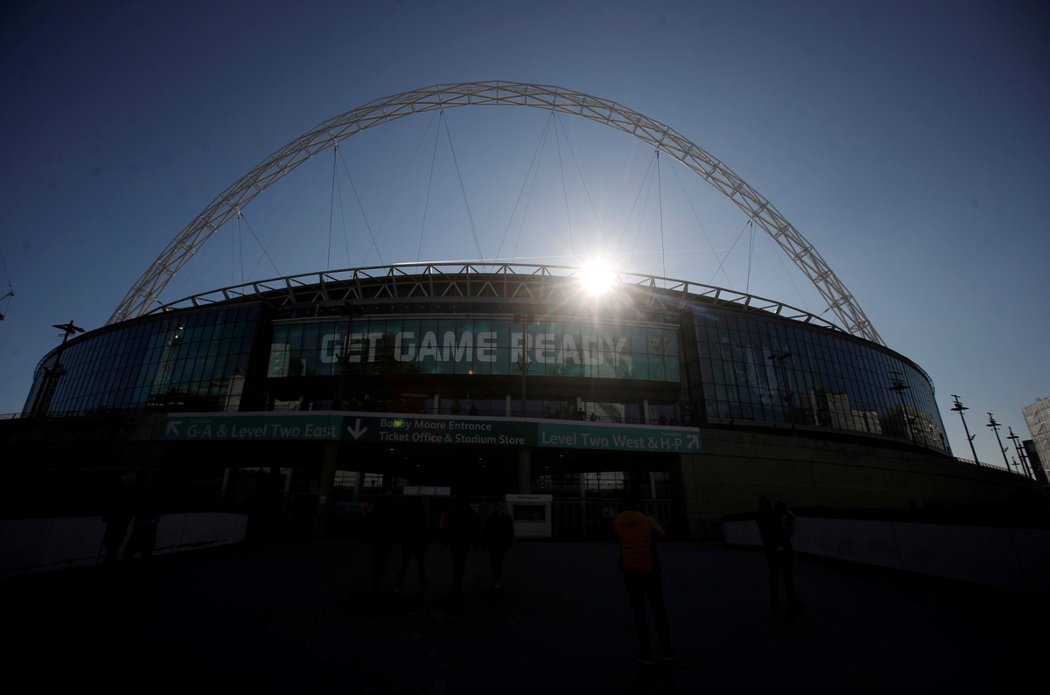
{"x": 770, "y": 372}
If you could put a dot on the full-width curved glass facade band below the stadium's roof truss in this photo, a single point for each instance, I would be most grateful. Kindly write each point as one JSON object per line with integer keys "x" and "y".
{"x": 720, "y": 367}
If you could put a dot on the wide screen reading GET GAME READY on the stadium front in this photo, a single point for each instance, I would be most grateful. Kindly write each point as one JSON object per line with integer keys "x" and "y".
{"x": 464, "y": 346}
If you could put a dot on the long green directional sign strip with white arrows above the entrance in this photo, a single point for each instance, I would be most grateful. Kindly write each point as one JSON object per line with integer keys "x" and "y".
{"x": 430, "y": 431}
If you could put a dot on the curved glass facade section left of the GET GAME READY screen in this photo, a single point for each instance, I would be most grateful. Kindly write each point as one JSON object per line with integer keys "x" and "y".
{"x": 195, "y": 362}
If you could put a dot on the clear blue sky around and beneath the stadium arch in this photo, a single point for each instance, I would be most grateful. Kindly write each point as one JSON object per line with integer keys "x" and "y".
{"x": 908, "y": 142}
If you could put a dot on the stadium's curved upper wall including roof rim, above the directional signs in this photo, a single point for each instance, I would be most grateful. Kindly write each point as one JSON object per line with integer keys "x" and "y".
{"x": 698, "y": 360}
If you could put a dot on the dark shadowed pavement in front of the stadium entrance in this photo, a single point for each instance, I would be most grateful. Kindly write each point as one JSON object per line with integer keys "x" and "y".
{"x": 296, "y": 619}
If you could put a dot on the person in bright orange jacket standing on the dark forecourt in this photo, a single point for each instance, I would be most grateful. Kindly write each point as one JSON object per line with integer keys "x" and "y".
{"x": 640, "y": 564}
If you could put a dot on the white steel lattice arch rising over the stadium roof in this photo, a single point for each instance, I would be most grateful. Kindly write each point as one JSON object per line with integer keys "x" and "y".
{"x": 230, "y": 202}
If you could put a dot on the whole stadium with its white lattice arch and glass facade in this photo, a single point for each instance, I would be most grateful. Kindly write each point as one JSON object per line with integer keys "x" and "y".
{"x": 555, "y": 388}
